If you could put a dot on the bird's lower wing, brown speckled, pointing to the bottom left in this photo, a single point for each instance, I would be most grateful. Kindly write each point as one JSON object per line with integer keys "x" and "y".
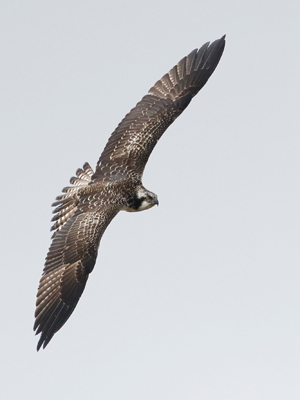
{"x": 70, "y": 260}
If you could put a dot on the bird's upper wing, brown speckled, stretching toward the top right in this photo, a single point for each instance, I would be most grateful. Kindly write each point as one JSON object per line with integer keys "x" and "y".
{"x": 131, "y": 144}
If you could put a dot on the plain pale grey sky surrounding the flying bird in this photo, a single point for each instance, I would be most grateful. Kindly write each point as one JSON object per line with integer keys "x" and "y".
{"x": 195, "y": 299}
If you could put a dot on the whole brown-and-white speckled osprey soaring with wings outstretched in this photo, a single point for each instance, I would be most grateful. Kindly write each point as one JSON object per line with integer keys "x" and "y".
{"x": 85, "y": 209}
